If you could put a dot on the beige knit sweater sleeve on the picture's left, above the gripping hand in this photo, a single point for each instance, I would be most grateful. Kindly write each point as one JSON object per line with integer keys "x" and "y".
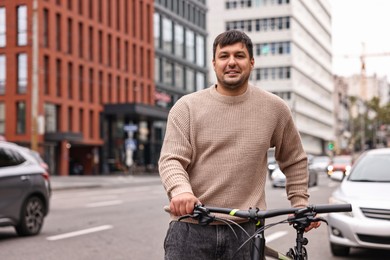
{"x": 176, "y": 152}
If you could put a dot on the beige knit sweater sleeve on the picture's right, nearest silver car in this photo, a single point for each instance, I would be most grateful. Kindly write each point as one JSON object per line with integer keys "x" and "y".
{"x": 292, "y": 160}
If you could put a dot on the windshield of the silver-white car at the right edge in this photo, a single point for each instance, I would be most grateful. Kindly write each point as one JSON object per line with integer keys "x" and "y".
{"x": 372, "y": 168}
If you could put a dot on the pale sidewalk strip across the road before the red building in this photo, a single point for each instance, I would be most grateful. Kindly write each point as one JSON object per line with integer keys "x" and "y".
{"x": 102, "y": 181}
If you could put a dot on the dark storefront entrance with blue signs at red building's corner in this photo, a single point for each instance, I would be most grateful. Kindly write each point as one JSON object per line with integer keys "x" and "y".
{"x": 133, "y": 135}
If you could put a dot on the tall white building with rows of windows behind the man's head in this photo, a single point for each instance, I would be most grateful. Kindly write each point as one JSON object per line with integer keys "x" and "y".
{"x": 292, "y": 49}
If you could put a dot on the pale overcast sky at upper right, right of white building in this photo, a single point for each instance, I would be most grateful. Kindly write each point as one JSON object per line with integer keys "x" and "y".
{"x": 357, "y": 21}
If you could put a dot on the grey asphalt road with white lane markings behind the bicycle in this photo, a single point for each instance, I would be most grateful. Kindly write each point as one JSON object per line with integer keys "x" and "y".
{"x": 126, "y": 221}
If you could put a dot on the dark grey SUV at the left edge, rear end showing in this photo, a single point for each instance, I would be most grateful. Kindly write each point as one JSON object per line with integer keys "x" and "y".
{"x": 24, "y": 189}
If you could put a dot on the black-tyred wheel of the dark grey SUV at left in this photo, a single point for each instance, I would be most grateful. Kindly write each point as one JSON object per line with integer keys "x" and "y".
{"x": 32, "y": 215}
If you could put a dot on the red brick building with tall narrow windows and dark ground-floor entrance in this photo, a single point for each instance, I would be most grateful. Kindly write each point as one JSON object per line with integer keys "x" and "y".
{"x": 77, "y": 82}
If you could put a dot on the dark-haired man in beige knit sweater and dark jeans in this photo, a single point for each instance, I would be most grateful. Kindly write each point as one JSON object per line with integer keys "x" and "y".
{"x": 215, "y": 153}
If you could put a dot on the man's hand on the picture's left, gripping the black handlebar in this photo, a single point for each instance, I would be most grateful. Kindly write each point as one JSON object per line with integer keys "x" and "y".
{"x": 183, "y": 204}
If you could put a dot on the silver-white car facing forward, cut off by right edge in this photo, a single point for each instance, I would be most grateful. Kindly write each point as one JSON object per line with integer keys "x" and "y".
{"x": 366, "y": 188}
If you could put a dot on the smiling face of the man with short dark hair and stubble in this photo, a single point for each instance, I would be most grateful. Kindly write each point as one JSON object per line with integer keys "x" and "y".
{"x": 232, "y": 65}
